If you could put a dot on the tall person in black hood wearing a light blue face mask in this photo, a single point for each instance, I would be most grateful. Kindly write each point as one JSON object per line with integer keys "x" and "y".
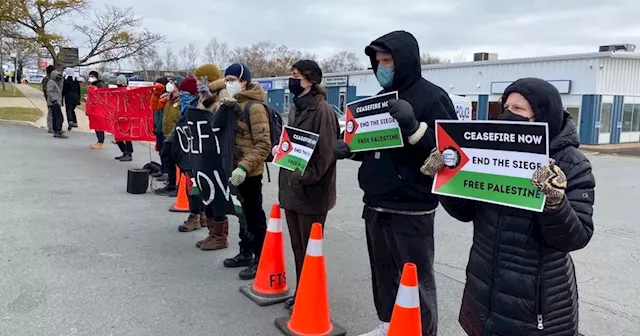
{"x": 399, "y": 210}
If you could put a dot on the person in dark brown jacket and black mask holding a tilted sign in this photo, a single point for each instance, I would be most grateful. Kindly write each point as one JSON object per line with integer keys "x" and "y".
{"x": 308, "y": 198}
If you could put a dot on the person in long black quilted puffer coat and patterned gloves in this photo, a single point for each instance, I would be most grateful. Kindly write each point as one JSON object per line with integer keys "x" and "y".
{"x": 520, "y": 277}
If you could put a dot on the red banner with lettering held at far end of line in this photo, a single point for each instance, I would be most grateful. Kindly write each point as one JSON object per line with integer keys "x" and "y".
{"x": 125, "y": 113}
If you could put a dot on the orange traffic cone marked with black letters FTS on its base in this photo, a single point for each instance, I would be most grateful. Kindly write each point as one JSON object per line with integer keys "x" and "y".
{"x": 270, "y": 286}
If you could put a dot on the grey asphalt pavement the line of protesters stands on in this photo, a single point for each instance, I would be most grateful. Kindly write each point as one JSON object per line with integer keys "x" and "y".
{"x": 80, "y": 256}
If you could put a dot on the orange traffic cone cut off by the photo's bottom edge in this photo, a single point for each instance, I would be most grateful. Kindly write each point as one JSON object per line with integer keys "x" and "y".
{"x": 406, "y": 320}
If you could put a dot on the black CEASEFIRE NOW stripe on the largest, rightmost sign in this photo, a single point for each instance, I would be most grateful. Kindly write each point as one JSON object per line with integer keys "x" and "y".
{"x": 499, "y": 135}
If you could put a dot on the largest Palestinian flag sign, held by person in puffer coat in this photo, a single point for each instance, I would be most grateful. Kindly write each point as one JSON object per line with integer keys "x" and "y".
{"x": 492, "y": 161}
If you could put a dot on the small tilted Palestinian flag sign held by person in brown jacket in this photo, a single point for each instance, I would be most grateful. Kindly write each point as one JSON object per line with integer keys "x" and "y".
{"x": 295, "y": 149}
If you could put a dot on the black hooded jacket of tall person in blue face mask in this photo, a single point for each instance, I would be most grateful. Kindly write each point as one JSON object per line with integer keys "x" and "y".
{"x": 391, "y": 178}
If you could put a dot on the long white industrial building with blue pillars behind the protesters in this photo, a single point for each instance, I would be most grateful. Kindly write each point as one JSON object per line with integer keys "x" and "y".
{"x": 601, "y": 90}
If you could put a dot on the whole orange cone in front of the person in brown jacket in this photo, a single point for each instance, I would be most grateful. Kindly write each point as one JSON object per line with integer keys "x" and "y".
{"x": 310, "y": 314}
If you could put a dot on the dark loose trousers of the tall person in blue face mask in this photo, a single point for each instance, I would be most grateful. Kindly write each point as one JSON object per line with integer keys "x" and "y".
{"x": 393, "y": 240}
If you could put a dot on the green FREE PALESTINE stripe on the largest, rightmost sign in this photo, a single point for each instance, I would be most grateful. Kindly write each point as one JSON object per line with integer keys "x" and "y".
{"x": 506, "y": 190}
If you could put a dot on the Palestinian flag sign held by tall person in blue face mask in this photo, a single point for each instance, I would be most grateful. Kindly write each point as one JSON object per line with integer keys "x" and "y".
{"x": 369, "y": 126}
